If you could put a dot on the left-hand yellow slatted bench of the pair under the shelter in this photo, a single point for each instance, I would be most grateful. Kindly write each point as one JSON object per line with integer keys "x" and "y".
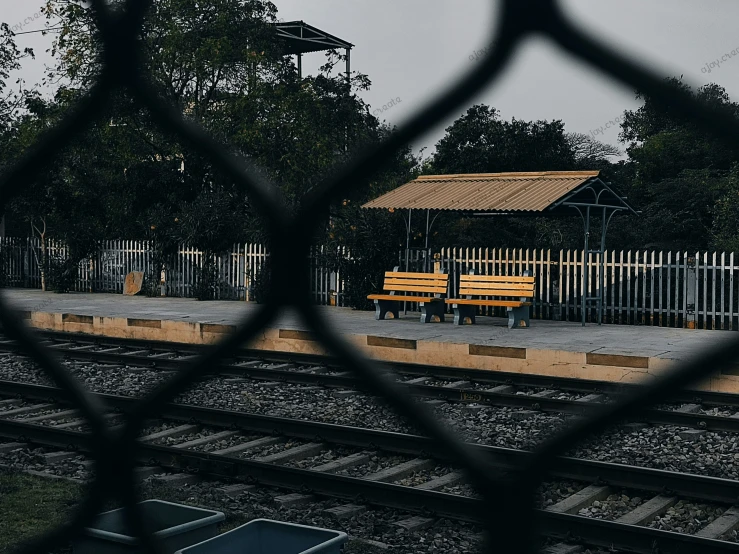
{"x": 428, "y": 289}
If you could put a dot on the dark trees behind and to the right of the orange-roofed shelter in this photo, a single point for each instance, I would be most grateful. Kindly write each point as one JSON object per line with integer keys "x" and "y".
{"x": 682, "y": 179}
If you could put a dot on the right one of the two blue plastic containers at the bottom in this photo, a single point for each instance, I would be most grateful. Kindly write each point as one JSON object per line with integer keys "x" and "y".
{"x": 264, "y": 536}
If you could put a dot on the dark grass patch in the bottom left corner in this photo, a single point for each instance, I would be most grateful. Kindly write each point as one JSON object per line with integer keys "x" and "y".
{"x": 31, "y": 505}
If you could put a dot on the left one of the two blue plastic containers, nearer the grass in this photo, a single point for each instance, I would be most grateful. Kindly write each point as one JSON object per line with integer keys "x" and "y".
{"x": 176, "y": 526}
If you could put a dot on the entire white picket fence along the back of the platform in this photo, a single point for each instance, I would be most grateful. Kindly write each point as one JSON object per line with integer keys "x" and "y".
{"x": 671, "y": 289}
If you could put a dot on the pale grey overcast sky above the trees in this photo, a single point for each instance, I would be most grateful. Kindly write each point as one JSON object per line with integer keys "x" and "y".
{"x": 411, "y": 49}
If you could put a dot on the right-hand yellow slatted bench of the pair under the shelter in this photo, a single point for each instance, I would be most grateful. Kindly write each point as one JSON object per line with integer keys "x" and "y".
{"x": 512, "y": 293}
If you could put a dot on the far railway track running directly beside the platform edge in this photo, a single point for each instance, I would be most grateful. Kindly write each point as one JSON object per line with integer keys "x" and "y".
{"x": 511, "y": 390}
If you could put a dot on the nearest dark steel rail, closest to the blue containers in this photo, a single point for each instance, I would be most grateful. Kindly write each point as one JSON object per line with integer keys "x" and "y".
{"x": 589, "y": 530}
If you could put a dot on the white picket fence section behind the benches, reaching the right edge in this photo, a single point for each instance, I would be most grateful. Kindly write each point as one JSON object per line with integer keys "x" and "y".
{"x": 670, "y": 289}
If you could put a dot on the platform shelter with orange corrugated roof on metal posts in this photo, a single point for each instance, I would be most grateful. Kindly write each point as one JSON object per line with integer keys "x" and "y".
{"x": 540, "y": 194}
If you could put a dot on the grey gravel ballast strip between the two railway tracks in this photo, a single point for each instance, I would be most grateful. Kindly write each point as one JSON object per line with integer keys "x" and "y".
{"x": 660, "y": 446}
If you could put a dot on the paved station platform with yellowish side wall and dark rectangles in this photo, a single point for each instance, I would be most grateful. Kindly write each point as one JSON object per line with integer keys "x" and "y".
{"x": 628, "y": 354}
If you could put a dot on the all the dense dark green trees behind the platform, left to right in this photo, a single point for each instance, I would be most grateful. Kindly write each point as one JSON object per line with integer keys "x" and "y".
{"x": 222, "y": 65}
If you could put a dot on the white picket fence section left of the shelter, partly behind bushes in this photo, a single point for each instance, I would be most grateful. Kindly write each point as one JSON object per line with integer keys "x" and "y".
{"x": 107, "y": 270}
